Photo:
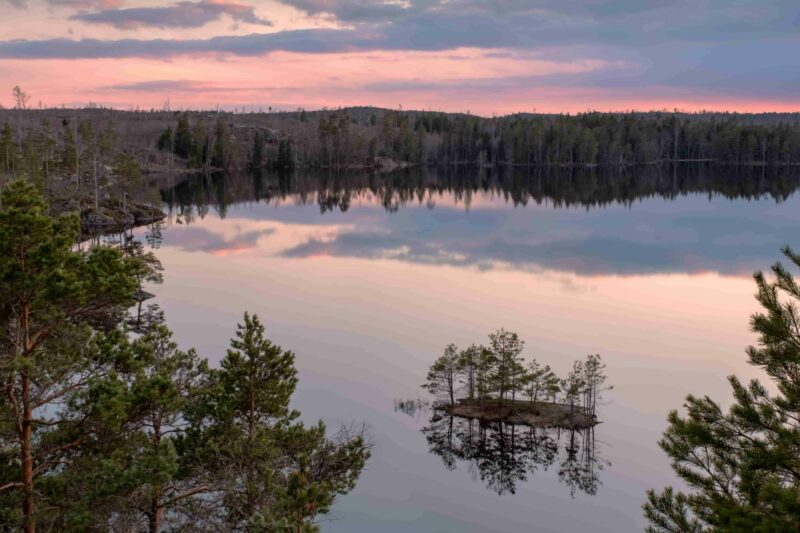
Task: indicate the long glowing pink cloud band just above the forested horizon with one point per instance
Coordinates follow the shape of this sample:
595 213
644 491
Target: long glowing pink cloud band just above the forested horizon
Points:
480 81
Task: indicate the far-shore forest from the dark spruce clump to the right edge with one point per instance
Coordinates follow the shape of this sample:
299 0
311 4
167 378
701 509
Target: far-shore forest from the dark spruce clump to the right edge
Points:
349 138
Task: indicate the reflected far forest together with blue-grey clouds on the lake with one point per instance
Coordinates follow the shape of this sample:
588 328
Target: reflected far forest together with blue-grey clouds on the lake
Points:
693 220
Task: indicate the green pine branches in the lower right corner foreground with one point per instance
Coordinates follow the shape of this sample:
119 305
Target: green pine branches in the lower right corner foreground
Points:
742 465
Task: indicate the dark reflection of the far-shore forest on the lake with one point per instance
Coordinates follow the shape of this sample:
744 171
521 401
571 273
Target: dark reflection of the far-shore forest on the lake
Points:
560 187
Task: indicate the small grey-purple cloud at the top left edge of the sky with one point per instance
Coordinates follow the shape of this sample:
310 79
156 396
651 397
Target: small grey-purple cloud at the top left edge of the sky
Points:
180 15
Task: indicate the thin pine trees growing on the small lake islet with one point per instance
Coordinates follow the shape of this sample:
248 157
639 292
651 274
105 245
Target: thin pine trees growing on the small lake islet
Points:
497 372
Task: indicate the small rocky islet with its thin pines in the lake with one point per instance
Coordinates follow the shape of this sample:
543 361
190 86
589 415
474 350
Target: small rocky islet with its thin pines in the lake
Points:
494 383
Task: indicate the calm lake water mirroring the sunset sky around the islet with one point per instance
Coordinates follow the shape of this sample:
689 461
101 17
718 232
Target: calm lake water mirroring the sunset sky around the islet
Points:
367 278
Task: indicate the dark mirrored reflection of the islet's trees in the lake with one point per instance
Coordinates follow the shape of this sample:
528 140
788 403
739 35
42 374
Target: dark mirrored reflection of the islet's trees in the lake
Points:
503 455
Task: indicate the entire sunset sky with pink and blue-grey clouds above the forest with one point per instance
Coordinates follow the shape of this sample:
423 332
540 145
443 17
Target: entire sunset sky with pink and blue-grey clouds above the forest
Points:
480 56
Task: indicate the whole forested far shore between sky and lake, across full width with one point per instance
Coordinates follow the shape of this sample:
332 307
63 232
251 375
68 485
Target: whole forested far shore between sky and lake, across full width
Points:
34 142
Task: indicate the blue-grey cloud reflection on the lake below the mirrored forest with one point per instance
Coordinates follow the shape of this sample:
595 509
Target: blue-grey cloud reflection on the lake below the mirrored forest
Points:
686 233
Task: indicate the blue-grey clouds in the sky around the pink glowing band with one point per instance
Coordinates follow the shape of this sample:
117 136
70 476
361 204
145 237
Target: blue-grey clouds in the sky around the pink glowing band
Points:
714 47
